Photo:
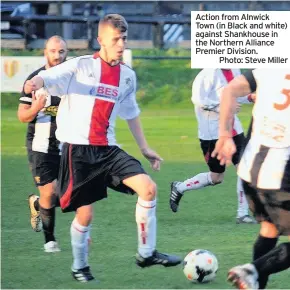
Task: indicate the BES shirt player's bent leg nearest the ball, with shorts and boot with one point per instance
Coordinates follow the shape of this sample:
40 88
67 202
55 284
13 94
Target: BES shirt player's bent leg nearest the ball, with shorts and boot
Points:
128 176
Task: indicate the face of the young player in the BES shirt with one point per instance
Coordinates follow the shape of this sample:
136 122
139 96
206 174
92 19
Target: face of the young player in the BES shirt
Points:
113 41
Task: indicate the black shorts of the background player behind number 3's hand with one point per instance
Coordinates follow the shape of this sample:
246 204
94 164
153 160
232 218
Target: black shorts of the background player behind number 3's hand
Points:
207 147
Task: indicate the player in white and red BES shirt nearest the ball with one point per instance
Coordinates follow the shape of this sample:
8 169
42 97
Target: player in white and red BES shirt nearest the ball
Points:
95 89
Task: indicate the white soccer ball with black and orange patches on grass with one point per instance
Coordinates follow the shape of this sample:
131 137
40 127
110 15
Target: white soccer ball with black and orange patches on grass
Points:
200 266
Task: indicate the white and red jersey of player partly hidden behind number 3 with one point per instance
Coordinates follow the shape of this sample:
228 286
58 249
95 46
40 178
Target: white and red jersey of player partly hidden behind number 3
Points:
206 92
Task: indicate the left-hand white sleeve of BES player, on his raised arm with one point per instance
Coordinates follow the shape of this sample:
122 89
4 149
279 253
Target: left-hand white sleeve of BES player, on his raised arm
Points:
57 79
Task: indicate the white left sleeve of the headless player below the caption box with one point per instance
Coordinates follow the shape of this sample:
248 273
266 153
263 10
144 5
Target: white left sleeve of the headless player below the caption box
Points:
201 91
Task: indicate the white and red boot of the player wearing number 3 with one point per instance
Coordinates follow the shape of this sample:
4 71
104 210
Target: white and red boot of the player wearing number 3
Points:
244 277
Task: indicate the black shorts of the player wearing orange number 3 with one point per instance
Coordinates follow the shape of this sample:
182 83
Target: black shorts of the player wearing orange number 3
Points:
270 205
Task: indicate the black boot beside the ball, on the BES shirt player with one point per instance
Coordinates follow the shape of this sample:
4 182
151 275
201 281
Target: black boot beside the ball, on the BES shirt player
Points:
157 259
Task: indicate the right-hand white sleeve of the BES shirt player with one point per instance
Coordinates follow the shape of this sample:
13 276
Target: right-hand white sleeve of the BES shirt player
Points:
129 108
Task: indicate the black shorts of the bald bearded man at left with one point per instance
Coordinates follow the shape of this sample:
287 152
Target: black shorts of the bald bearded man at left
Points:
44 167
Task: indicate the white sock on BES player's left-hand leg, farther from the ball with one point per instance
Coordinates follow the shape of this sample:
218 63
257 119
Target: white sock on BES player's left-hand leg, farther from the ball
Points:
80 236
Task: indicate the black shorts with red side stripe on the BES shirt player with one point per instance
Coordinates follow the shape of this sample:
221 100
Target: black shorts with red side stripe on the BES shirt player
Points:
86 171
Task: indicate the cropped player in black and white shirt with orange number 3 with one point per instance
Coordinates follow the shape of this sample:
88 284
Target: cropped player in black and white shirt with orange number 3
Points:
264 169
